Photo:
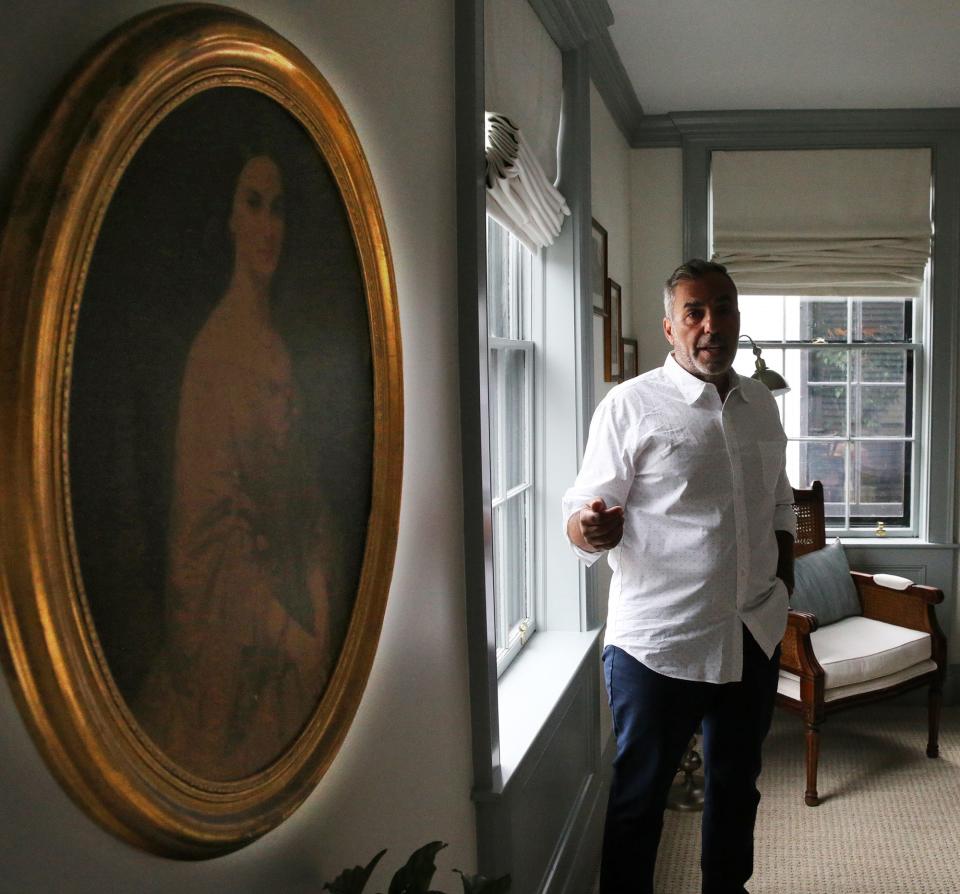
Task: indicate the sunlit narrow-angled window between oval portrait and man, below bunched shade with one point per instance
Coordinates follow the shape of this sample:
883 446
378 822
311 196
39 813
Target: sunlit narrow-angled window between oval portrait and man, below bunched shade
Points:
513 284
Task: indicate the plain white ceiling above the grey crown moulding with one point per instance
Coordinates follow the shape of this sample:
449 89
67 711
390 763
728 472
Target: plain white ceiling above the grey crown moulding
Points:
700 55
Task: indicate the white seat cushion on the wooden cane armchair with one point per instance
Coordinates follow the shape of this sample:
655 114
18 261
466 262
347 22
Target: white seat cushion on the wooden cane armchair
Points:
860 654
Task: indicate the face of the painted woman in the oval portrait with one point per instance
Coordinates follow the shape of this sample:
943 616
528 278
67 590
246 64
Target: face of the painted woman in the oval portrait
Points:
257 217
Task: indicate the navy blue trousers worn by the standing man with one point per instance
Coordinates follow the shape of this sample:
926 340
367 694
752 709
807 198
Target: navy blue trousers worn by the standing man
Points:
654 718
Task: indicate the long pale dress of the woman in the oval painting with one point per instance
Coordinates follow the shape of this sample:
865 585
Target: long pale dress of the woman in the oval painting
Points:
247 653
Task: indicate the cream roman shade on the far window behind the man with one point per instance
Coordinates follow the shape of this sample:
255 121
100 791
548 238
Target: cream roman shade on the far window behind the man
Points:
839 221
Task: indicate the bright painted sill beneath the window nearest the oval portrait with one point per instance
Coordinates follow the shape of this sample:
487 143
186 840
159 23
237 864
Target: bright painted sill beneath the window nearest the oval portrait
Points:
532 686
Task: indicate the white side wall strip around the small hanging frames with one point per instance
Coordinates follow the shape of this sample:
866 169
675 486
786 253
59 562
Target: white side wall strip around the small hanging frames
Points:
611 202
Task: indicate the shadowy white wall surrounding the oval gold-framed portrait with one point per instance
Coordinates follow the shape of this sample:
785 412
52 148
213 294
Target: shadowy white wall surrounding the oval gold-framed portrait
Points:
403 776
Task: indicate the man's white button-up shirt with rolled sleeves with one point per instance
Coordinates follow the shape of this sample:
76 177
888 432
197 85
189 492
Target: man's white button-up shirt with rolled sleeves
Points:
704 487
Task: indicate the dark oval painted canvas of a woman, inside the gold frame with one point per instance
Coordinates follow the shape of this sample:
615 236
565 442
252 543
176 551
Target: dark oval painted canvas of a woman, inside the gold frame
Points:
247 391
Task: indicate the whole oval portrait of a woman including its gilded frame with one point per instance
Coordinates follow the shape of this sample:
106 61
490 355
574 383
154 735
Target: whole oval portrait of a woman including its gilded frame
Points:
140 379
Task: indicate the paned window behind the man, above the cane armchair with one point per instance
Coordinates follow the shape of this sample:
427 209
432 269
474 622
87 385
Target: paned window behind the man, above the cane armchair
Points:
850 417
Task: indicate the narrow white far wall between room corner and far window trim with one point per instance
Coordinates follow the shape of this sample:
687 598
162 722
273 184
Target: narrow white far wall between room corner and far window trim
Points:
656 190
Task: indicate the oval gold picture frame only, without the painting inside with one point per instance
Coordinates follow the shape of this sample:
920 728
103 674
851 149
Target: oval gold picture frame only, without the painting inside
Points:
130 82
